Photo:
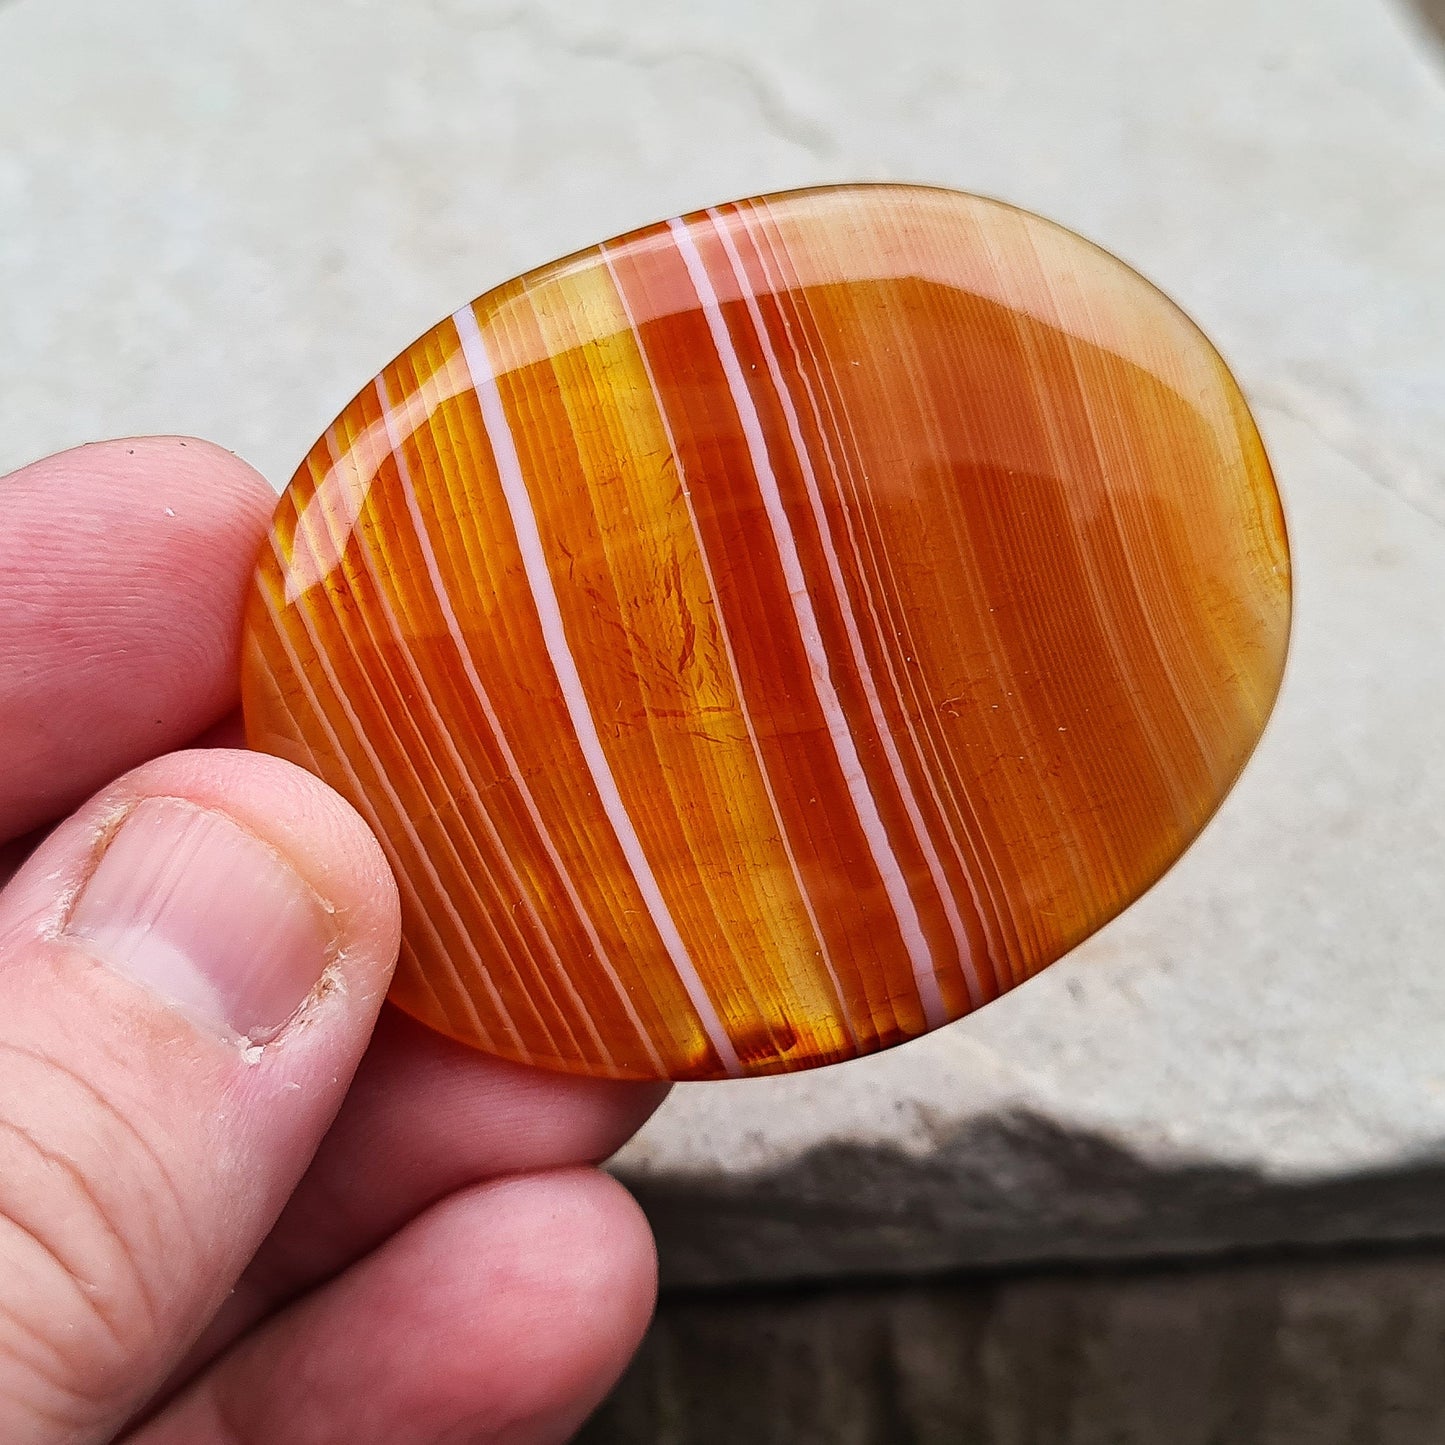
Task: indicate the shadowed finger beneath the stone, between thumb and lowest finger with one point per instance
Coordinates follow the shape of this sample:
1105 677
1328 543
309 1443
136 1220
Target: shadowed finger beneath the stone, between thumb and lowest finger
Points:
443 1118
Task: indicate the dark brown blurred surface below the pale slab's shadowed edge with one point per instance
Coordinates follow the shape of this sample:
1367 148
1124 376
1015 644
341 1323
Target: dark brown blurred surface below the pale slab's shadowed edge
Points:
1267 1352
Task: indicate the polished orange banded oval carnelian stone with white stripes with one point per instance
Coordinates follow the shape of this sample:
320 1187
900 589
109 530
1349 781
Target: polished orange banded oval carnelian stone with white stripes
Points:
772 635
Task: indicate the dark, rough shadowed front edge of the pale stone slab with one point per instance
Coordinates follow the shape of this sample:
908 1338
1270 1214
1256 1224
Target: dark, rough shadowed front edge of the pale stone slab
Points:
1008 1191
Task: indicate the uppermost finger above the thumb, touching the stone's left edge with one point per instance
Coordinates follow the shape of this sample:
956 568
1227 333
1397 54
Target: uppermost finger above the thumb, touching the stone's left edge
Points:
124 573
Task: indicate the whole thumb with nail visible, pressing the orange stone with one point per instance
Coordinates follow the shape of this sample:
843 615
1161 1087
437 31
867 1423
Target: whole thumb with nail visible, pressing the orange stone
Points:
190 970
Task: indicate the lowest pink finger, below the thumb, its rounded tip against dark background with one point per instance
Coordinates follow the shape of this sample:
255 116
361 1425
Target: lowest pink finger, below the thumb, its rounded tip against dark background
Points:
504 1314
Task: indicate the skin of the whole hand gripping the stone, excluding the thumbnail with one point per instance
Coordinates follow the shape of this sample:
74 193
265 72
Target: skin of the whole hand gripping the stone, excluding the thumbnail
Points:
361 1232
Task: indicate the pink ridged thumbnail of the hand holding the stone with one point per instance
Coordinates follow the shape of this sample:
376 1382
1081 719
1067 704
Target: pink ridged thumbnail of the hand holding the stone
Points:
207 917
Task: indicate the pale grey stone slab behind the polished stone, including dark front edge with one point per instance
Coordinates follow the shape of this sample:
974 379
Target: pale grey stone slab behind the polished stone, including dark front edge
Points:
223 219
